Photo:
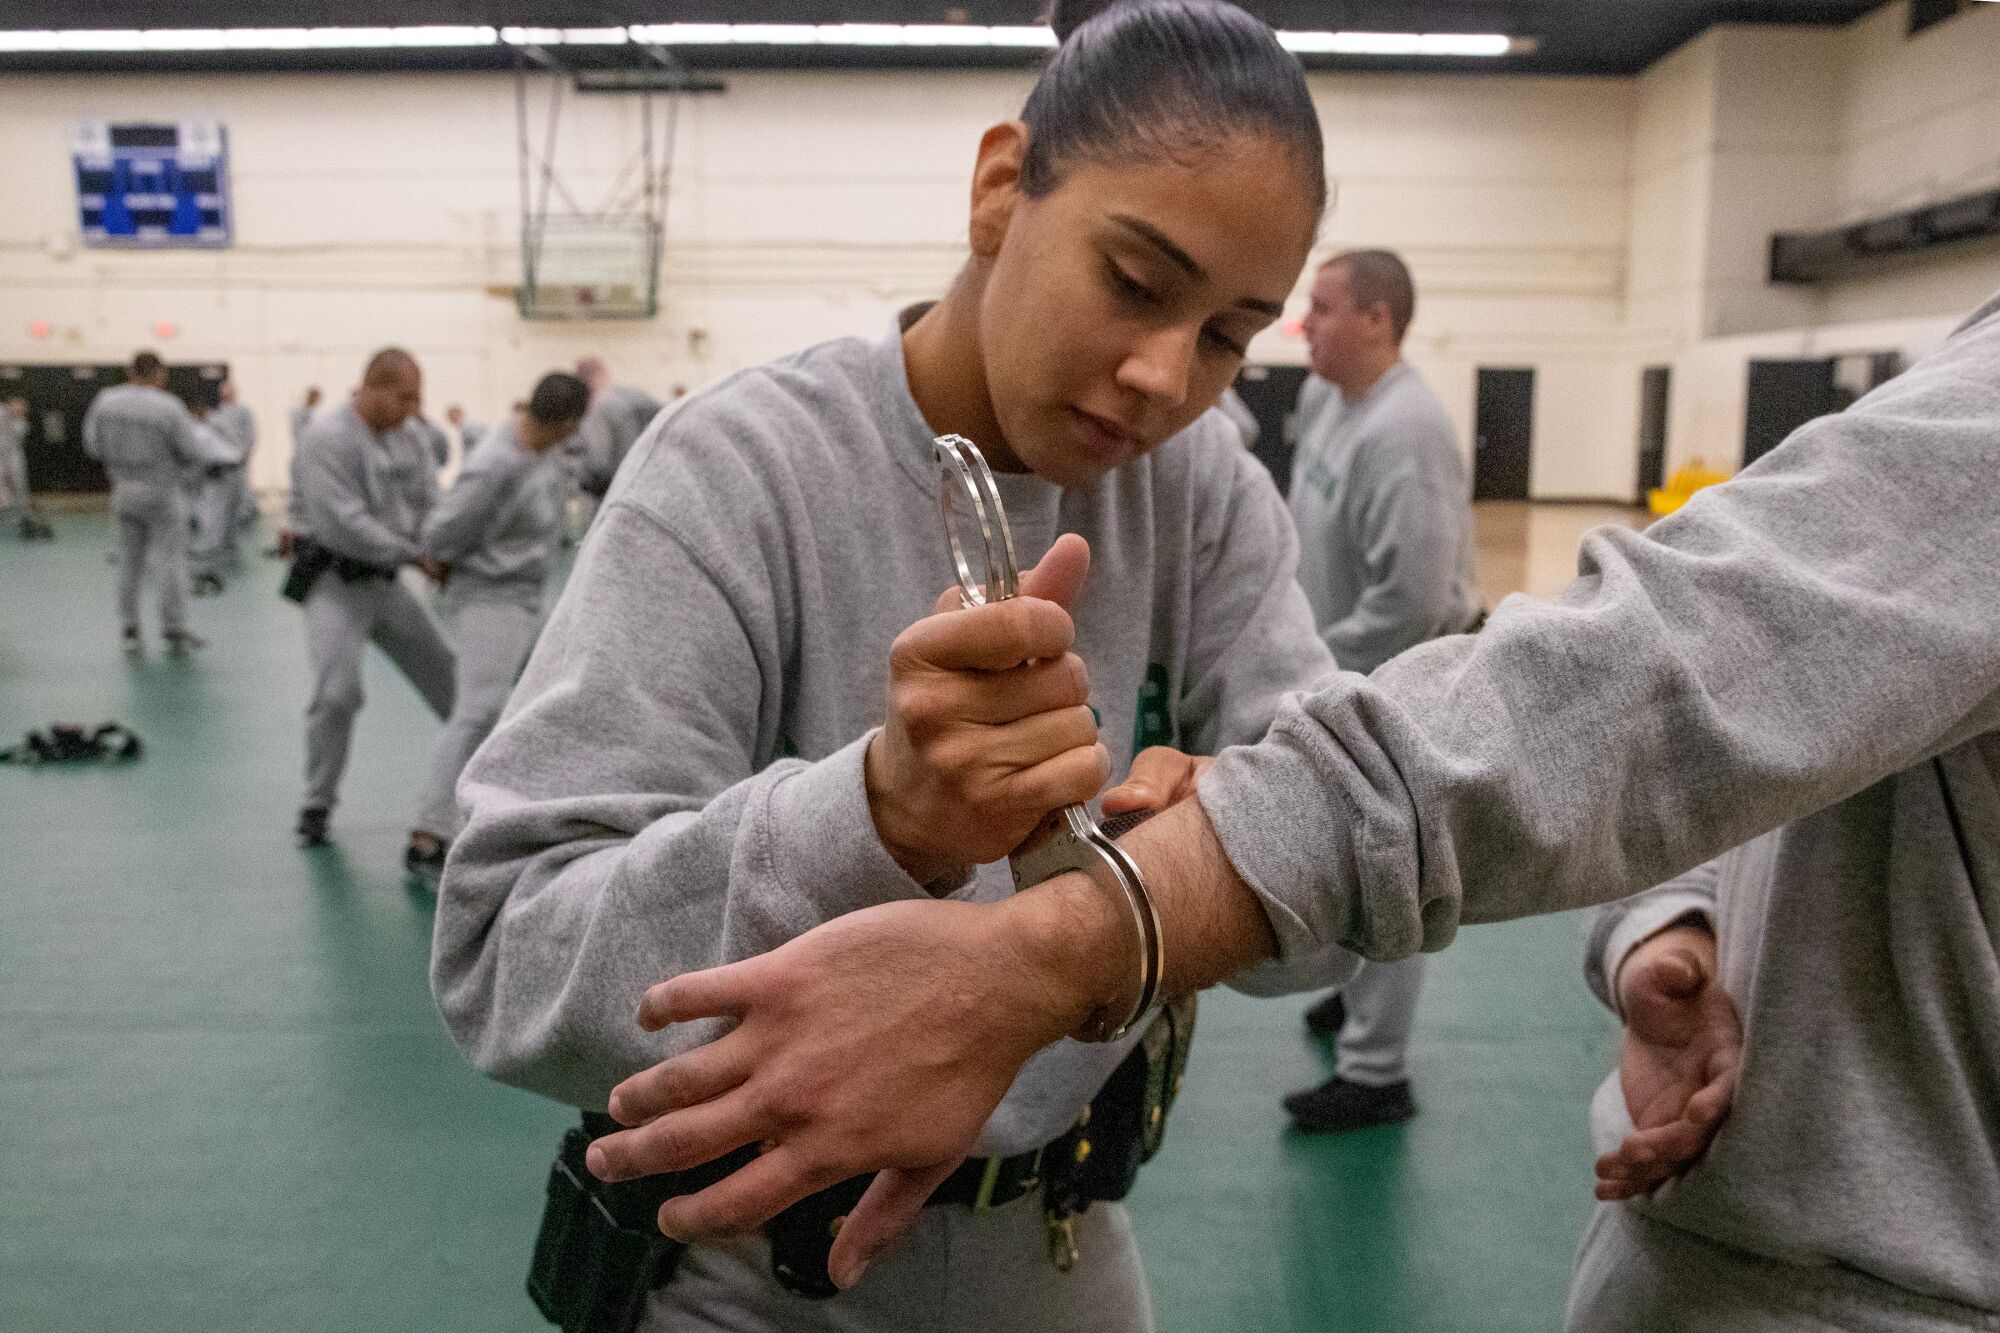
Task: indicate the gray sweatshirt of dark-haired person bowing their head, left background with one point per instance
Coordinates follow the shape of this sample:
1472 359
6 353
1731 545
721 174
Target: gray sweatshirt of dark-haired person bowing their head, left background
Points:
499 521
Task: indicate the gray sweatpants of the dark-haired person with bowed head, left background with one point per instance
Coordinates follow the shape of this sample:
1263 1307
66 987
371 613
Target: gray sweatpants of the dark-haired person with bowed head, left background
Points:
491 637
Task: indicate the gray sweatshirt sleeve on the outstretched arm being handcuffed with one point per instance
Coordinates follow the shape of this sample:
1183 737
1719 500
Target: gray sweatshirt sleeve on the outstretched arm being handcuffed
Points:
1823 621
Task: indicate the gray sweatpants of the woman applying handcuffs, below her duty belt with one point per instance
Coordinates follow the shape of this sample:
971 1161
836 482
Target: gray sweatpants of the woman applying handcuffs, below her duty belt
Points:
953 1274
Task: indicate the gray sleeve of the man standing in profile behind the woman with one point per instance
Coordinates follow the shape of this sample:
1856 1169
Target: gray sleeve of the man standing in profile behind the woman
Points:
1413 575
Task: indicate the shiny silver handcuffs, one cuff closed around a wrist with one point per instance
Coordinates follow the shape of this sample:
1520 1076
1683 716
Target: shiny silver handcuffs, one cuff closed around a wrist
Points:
1069 840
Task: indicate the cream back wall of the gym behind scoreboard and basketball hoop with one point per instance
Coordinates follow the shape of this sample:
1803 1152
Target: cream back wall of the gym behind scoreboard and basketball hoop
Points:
383 209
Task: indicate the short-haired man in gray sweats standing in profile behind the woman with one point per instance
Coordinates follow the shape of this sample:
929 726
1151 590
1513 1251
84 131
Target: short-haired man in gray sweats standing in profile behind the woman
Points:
1385 551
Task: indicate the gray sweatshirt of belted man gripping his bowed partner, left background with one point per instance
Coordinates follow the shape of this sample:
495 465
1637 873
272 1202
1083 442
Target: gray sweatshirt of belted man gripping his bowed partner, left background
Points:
365 495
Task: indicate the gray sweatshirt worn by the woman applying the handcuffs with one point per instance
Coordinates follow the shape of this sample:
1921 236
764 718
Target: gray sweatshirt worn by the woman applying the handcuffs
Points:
677 782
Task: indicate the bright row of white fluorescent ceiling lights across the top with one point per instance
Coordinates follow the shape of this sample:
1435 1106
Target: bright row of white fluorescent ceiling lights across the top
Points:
931 37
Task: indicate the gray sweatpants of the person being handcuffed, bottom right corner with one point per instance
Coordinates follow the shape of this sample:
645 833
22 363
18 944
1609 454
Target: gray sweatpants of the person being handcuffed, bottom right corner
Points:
1643 1276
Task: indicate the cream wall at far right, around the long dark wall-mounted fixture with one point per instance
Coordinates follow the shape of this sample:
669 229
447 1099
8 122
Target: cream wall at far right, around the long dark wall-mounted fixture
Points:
1821 129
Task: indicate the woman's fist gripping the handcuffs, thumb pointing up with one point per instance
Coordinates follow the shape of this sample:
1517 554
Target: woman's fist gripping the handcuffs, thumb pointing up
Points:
989 726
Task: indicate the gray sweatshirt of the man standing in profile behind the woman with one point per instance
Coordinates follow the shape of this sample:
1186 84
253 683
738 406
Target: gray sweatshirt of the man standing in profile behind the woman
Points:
1385 521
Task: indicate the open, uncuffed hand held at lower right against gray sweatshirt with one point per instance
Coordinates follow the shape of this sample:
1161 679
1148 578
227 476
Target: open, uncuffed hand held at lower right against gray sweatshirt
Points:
1681 1060
